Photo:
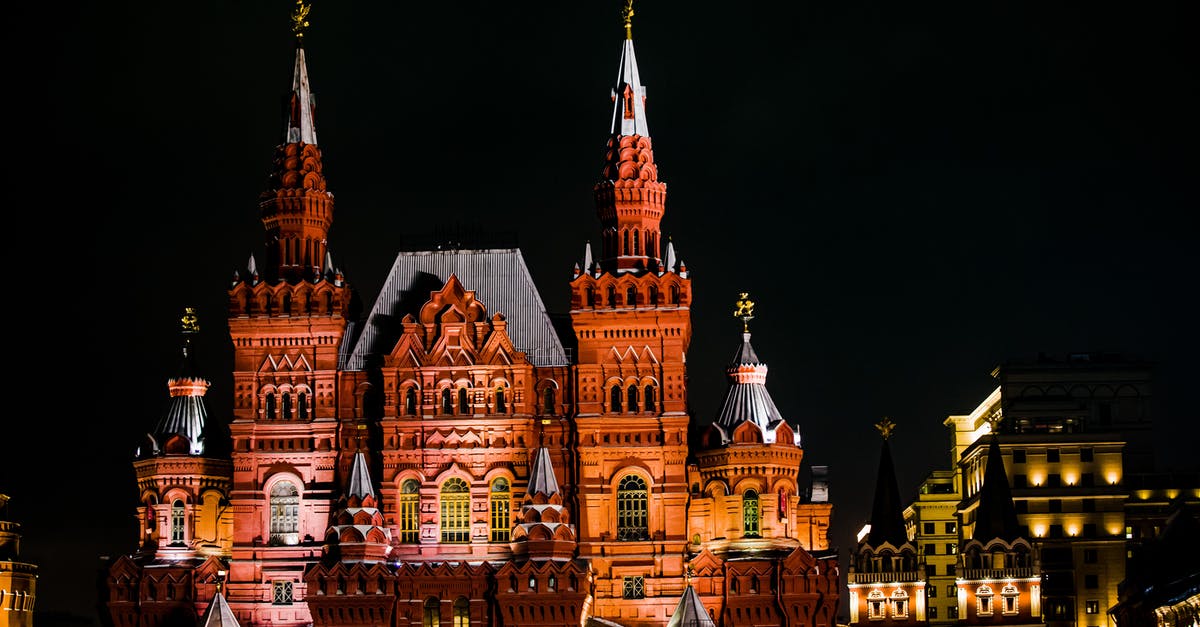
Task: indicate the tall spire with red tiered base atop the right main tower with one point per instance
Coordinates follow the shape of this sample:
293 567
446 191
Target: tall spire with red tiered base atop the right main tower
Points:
631 199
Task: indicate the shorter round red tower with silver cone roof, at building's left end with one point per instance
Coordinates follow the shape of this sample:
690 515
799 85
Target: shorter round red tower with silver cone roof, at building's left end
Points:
185 526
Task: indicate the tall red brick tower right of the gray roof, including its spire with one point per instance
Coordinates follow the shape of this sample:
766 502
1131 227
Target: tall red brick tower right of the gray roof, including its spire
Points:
632 323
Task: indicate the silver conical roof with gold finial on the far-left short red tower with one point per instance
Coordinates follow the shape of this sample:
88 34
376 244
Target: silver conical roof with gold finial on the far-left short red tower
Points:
182 429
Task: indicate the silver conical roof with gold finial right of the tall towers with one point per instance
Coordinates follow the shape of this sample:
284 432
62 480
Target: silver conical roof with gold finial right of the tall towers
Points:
748 401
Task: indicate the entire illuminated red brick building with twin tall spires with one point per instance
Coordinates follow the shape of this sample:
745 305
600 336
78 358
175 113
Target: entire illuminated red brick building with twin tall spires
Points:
440 458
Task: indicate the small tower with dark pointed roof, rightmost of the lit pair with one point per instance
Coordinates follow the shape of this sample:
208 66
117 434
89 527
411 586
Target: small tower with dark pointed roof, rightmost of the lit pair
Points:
999 580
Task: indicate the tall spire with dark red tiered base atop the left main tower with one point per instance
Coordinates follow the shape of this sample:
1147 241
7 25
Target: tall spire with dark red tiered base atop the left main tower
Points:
297 210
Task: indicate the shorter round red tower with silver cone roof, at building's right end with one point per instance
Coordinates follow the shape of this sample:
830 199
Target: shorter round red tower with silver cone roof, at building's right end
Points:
760 554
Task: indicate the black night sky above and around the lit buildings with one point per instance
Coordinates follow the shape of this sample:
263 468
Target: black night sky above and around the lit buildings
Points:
913 193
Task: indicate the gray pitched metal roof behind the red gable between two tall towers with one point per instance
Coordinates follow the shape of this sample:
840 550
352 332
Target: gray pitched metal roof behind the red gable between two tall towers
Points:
501 282
